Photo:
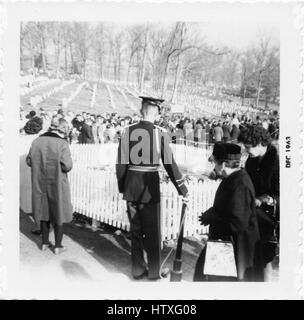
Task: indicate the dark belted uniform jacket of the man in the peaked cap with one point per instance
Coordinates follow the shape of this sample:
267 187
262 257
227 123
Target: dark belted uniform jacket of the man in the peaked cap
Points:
141 148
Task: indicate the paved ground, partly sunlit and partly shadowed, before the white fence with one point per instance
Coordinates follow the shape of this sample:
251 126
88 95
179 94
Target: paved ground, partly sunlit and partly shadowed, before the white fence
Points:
92 255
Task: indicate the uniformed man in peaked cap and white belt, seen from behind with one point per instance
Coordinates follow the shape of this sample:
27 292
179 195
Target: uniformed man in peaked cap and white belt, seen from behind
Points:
140 150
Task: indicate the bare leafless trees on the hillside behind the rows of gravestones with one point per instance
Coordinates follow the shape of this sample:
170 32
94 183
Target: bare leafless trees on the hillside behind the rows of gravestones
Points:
166 60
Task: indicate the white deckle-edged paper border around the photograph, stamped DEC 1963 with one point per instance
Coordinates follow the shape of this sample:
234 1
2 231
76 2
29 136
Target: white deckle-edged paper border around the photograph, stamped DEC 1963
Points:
288 16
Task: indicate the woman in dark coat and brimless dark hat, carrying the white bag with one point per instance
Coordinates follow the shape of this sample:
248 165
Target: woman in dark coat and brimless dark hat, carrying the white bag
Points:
233 216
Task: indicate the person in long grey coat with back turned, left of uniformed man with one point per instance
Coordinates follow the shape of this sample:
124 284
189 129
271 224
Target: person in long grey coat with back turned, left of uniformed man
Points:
50 161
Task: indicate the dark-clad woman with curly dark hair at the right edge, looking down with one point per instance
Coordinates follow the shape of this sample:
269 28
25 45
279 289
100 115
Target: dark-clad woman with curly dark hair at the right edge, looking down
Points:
263 168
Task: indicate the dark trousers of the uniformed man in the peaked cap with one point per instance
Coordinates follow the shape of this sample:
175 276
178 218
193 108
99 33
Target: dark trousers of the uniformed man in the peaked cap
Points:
145 235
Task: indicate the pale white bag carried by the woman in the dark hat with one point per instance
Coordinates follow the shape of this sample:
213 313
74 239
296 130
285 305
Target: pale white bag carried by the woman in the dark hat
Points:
220 259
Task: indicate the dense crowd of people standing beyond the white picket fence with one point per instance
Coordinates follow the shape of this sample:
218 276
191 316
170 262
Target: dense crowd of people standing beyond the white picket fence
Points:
88 128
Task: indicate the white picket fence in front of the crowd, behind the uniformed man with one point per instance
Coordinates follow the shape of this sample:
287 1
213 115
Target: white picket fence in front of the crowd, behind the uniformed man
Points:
95 194
